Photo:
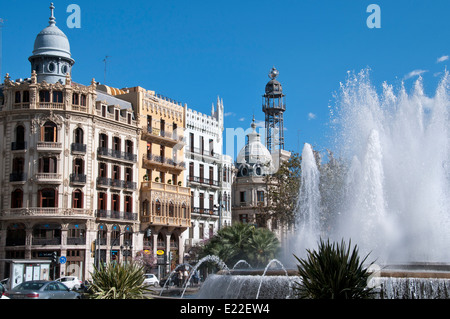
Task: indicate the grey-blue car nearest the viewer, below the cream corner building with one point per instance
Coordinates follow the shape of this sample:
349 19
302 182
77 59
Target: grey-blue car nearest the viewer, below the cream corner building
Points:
42 289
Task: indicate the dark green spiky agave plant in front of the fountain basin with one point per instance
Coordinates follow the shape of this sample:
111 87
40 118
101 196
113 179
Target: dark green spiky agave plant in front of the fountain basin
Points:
334 271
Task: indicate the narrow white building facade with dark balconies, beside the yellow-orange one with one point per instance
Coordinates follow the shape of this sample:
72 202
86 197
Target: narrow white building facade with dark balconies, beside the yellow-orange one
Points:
208 174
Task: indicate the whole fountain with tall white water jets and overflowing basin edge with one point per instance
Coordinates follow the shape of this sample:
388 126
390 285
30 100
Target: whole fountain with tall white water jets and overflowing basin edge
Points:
389 194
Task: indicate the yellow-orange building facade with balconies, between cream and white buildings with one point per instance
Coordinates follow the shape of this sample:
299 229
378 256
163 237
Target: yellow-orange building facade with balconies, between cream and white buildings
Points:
165 202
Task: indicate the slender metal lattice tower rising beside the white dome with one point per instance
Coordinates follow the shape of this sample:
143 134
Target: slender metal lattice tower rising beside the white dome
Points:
274 107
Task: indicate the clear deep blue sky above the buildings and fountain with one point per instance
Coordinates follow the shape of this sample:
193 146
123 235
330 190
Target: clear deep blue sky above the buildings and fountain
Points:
194 51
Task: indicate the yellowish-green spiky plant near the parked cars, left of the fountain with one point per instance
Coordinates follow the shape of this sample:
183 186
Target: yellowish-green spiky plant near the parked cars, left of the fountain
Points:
118 281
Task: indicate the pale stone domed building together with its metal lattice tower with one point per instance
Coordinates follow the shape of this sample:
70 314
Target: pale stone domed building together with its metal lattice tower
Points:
256 160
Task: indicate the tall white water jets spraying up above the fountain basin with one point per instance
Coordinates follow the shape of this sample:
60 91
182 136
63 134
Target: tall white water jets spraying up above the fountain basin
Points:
394 201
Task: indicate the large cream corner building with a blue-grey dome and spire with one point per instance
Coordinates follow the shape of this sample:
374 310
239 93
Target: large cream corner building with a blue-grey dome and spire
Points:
69 170
